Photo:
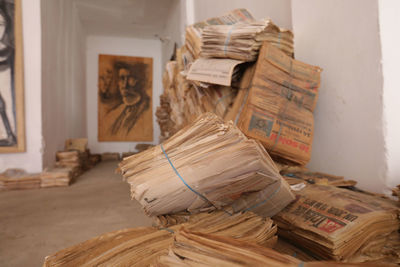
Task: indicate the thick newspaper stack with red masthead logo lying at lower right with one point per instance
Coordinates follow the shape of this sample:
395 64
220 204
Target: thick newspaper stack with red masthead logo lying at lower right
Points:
342 225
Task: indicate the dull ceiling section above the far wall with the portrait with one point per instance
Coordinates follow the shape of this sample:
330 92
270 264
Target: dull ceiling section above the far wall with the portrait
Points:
130 18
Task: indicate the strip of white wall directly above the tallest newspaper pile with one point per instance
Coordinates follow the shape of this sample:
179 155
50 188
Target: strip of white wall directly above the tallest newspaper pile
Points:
278 10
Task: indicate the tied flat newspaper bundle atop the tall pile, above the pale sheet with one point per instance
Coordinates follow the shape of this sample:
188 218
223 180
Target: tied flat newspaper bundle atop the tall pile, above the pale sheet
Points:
242 41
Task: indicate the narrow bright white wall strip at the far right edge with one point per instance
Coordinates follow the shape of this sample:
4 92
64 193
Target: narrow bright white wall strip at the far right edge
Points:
389 19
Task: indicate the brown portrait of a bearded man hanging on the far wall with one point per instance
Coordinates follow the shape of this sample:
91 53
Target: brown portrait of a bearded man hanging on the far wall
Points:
125 98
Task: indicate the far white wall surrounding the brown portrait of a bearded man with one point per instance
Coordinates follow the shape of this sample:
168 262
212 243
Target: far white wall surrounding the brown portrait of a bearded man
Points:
96 45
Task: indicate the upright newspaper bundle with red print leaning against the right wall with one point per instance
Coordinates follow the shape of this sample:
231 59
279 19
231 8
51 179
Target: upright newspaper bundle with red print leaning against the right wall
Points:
280 103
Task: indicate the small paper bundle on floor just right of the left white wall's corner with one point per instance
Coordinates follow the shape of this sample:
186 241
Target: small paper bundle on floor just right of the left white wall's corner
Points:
56 177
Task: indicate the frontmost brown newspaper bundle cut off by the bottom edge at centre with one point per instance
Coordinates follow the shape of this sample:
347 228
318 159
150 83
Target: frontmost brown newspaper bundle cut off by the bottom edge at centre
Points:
199 249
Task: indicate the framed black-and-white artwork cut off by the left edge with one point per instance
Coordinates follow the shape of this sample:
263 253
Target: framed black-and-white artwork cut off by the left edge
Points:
12 137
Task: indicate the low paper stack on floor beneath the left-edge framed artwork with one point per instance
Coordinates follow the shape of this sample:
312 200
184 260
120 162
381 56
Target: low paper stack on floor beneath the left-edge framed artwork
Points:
14 179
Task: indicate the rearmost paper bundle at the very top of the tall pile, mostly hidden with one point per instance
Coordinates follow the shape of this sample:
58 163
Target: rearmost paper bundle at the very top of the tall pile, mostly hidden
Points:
194 32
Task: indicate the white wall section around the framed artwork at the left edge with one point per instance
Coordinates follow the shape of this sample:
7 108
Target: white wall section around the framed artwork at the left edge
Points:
31 160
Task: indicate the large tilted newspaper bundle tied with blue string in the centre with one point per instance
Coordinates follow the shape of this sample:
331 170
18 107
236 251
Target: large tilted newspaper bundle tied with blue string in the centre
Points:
207 165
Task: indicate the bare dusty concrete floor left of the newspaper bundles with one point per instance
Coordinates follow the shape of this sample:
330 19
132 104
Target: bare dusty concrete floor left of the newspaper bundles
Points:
36 223
